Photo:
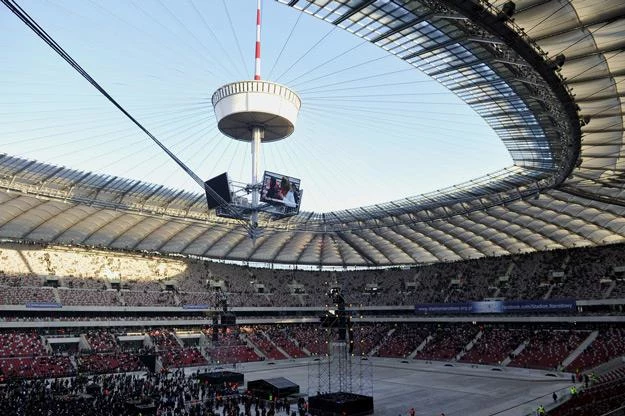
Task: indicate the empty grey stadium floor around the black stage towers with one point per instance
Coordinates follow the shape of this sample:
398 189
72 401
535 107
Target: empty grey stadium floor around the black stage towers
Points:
434 388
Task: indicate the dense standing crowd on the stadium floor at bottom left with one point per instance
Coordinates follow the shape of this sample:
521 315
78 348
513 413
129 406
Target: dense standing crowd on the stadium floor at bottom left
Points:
166 394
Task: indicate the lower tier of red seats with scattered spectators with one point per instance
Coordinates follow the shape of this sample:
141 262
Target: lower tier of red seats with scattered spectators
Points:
100 350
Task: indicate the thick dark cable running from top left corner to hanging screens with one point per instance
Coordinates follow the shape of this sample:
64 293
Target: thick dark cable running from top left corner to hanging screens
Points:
34 26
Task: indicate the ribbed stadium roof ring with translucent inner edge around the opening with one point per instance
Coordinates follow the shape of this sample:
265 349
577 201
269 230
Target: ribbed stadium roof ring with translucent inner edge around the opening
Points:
561 119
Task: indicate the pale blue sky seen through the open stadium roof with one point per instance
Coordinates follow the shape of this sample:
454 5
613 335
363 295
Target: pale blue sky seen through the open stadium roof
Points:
371 128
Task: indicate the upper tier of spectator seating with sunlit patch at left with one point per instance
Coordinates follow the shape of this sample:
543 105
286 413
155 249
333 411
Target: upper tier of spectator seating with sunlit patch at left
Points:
80 276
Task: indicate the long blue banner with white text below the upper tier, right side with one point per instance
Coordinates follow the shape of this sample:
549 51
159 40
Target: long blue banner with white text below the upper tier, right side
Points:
498 306
